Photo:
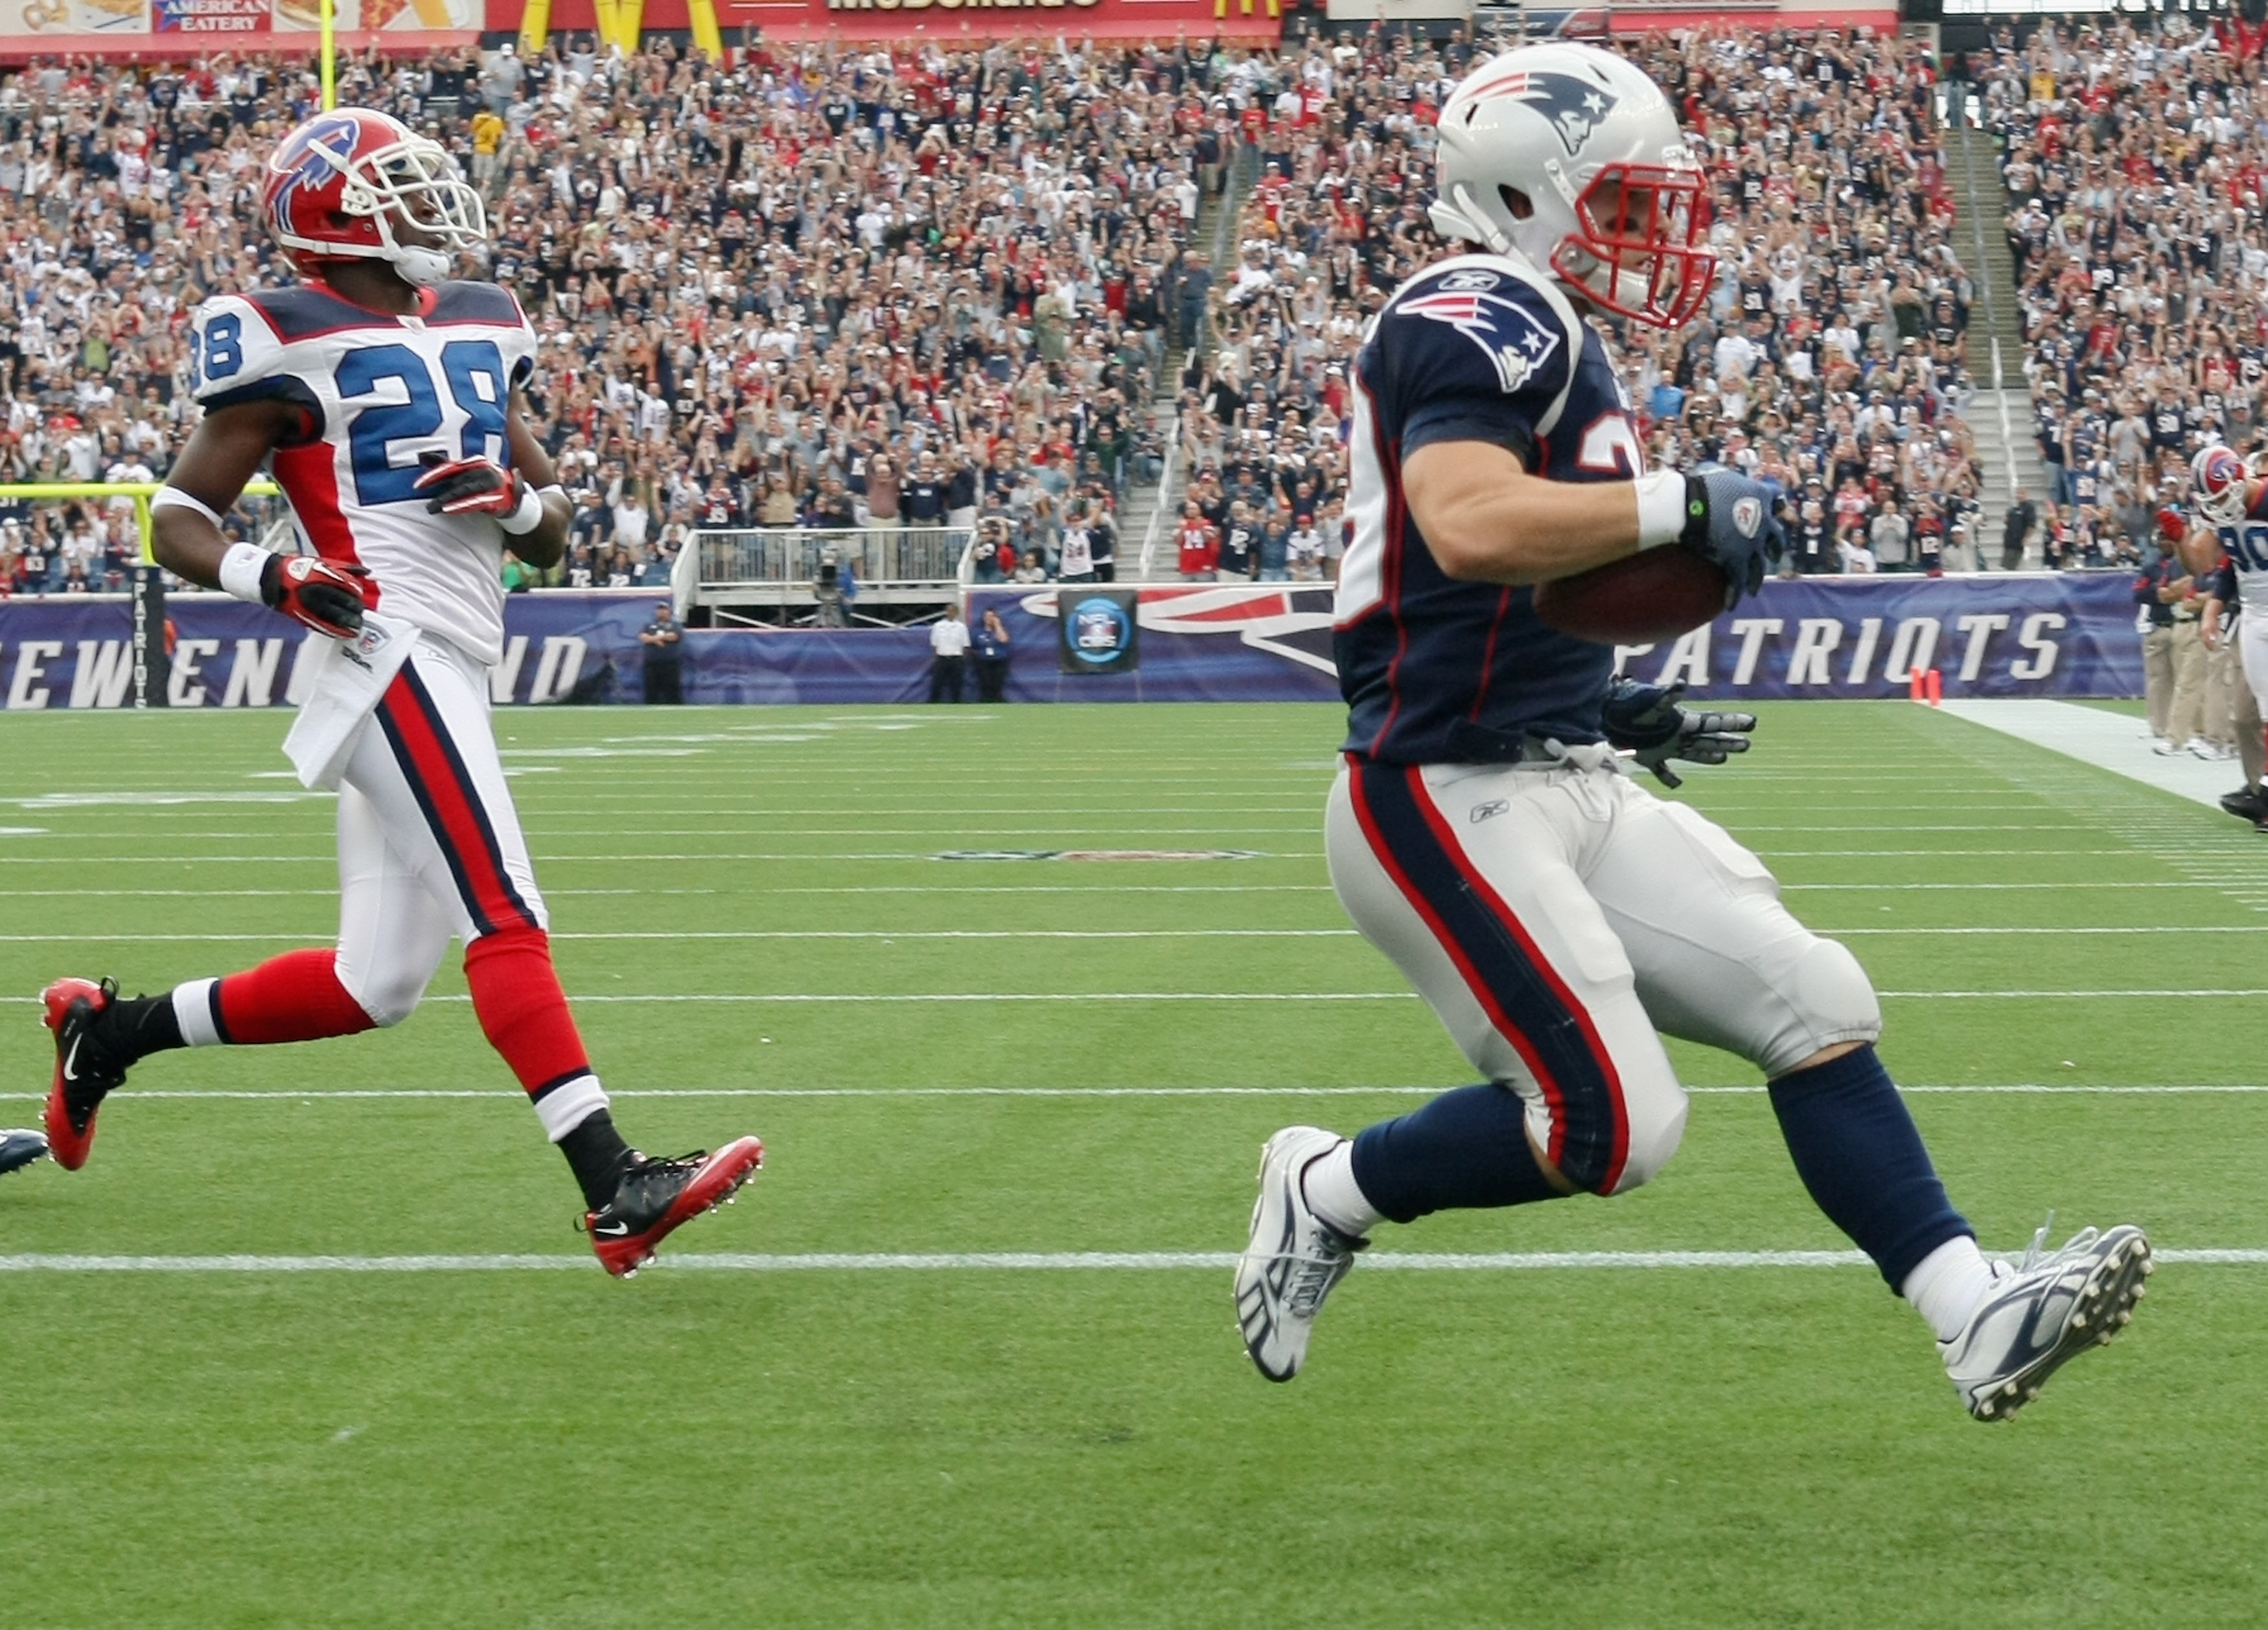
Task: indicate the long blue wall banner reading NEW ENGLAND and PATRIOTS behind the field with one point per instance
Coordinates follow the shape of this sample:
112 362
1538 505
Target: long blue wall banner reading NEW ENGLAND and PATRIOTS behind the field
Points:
1988 636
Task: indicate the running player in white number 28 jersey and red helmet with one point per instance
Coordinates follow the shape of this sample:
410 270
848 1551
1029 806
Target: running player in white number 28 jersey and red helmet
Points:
389 402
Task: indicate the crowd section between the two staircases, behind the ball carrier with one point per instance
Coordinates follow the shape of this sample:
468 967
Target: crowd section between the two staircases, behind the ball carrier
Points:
1831 355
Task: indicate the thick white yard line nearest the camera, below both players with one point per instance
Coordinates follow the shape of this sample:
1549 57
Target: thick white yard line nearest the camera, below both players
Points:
963 1262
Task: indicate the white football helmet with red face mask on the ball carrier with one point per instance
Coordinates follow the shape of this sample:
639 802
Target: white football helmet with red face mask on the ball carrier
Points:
1573 160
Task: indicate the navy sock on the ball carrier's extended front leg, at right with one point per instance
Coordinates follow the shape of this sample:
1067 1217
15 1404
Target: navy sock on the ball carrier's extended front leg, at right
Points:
1861 1155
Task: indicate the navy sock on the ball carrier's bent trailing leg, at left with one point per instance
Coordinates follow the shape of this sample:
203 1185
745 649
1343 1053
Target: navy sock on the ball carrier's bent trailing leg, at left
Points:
1464 1151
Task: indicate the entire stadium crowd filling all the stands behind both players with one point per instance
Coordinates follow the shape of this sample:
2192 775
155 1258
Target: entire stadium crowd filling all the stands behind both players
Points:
899 294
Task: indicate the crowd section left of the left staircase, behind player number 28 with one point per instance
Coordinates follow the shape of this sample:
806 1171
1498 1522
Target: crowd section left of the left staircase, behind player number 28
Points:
811 291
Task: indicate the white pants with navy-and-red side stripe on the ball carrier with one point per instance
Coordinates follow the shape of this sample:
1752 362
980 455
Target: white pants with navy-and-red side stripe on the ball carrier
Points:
1557 917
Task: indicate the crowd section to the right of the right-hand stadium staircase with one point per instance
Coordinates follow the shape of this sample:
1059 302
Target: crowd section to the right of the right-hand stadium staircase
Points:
2135 169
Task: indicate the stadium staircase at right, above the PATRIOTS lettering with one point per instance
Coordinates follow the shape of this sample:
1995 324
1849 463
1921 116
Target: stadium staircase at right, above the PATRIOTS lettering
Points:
2002 411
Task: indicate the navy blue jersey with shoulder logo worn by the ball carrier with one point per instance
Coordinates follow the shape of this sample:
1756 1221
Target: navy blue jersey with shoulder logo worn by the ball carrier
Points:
1441 672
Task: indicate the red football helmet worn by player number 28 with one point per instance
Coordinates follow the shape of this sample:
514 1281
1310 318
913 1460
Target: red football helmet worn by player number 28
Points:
346 182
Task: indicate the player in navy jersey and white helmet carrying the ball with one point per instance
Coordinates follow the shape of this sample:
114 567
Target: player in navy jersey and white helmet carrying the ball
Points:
1482 829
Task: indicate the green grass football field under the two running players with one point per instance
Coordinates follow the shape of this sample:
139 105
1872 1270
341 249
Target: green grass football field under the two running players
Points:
965 1352
